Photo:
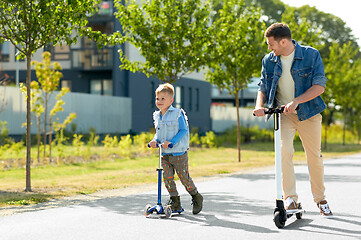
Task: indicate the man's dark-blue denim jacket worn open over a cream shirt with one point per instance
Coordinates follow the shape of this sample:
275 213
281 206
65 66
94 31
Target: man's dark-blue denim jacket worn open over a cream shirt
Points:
307 70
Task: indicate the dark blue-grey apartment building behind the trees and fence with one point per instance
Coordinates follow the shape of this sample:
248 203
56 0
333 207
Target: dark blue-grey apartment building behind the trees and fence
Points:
87 69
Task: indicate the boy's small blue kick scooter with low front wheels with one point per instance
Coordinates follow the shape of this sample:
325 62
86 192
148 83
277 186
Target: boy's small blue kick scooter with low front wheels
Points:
159 209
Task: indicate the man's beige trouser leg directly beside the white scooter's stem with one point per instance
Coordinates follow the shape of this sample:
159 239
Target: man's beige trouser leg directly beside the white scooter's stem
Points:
288 131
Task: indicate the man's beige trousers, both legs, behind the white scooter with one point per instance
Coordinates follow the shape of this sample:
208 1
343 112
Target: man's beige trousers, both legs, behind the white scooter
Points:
310 135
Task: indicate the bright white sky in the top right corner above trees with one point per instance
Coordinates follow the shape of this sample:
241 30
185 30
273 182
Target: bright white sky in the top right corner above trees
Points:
347 10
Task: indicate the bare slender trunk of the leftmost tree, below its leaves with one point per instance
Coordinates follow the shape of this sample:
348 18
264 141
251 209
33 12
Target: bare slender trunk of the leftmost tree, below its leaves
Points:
28 123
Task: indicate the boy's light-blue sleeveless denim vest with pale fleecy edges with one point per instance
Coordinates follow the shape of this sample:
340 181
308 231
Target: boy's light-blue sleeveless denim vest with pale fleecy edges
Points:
167 127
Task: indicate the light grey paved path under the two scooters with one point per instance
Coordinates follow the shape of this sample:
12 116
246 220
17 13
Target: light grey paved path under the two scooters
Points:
238 206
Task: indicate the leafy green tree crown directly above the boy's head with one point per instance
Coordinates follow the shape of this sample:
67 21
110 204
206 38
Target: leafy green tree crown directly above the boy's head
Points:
170 35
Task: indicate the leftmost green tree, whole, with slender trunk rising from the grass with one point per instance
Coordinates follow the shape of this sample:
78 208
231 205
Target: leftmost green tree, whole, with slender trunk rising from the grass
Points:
30 25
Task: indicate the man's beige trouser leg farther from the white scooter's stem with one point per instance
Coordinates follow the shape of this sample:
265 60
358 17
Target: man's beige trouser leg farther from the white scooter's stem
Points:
310 134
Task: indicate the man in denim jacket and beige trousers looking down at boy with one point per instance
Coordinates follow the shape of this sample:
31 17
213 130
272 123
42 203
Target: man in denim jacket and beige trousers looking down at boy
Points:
293 76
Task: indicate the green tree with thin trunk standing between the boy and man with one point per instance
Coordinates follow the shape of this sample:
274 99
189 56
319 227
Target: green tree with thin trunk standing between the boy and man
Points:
238 47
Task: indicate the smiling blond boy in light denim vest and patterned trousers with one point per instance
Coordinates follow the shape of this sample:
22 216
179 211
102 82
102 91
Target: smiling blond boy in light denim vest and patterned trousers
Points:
172 128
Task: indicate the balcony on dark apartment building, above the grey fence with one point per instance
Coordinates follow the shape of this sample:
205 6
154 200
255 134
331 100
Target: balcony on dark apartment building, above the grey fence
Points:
92 59
